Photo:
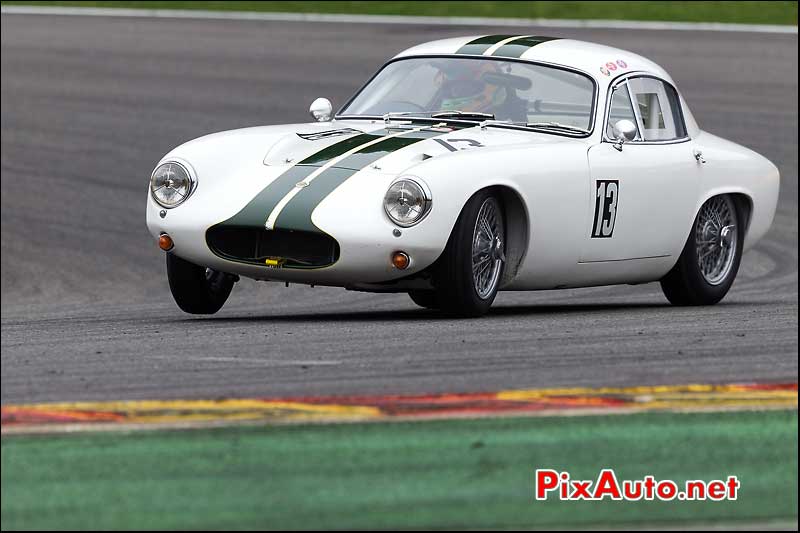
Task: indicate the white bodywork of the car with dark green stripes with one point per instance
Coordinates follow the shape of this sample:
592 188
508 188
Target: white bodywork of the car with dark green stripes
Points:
257 175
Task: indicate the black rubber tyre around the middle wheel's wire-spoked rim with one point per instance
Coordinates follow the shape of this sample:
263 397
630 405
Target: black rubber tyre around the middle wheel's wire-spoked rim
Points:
455 289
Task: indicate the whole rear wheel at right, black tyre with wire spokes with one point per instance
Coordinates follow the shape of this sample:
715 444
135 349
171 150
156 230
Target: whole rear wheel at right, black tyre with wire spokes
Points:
710 259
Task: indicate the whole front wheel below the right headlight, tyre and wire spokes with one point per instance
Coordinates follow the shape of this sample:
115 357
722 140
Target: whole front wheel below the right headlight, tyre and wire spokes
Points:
469 271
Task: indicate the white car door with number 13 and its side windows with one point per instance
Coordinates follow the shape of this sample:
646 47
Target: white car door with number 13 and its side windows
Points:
641 192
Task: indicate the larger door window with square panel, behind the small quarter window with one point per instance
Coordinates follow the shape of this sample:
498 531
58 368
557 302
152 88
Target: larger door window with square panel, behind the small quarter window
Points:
658 110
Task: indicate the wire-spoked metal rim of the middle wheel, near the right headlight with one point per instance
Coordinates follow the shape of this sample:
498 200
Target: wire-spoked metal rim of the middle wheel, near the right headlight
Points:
488 248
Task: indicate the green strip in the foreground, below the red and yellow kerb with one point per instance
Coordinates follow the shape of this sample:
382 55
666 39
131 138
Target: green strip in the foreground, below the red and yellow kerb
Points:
431 474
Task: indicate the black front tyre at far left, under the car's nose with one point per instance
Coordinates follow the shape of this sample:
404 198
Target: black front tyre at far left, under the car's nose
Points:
197 290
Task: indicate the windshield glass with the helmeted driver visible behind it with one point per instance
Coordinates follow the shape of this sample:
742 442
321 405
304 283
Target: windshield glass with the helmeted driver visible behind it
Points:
518 92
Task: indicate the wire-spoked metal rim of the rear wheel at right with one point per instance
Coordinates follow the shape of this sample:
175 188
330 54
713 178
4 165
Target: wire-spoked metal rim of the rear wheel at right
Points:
716 239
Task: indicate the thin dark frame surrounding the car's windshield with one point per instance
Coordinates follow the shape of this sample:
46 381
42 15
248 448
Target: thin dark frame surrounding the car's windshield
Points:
563 133
